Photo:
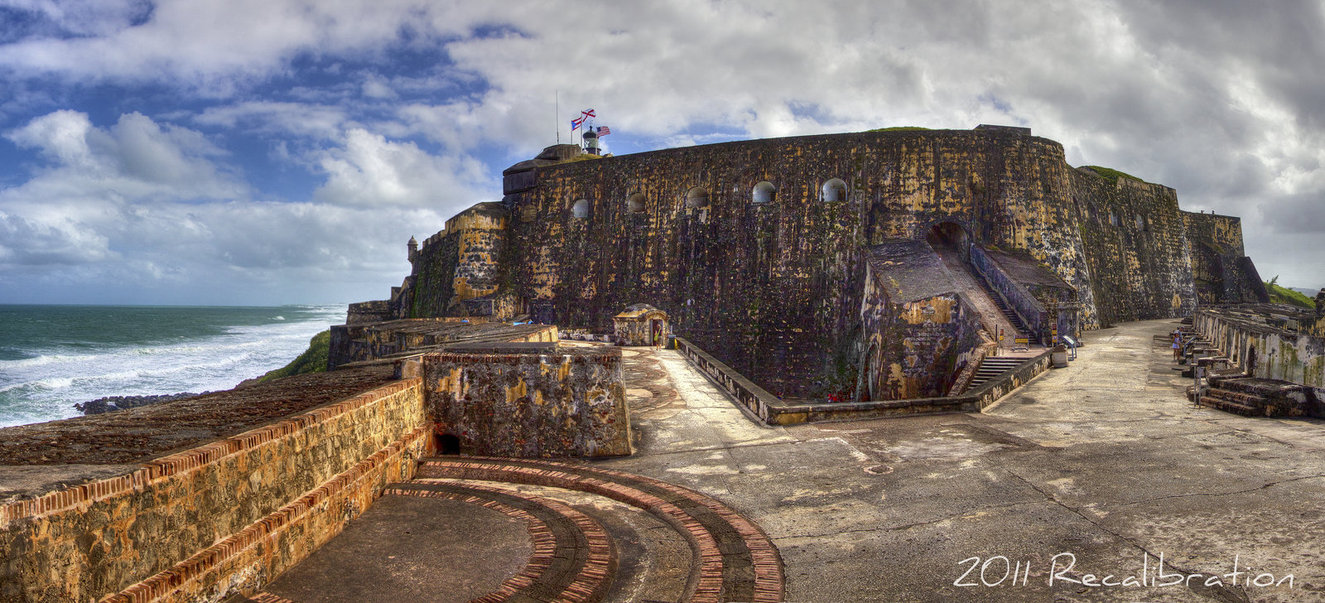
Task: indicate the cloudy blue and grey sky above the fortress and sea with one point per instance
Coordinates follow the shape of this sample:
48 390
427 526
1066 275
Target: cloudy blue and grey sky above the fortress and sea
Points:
283 152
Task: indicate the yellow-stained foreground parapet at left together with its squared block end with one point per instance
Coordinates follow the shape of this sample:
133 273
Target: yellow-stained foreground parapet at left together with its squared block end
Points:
229 516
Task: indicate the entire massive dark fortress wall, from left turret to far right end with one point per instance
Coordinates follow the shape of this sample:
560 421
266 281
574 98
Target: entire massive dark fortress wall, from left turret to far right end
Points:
757 250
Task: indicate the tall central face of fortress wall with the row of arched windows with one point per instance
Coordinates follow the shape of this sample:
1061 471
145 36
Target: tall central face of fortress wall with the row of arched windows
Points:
773 288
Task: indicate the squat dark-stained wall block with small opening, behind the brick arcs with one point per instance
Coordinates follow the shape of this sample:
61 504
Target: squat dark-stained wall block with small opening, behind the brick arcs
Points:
531 405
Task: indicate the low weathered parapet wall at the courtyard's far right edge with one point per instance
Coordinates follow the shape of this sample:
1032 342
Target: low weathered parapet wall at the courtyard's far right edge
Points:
1273 352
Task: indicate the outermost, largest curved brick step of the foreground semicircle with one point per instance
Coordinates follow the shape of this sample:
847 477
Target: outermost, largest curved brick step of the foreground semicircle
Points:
736 561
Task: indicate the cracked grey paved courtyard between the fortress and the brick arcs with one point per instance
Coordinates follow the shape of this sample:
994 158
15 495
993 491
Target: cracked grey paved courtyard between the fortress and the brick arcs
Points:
1102 467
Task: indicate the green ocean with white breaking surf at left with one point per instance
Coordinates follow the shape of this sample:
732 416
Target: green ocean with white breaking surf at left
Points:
52 357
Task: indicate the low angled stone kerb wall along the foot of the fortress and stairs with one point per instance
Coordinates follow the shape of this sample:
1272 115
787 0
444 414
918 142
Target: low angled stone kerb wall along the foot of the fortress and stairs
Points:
768 409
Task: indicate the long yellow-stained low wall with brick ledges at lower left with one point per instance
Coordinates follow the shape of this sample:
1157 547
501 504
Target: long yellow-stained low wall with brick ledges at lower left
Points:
219 519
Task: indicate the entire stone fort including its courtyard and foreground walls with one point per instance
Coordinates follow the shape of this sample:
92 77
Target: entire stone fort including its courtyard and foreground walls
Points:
633 377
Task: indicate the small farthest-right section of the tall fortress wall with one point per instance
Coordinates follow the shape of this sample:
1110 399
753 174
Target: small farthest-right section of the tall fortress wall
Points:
1221 270
